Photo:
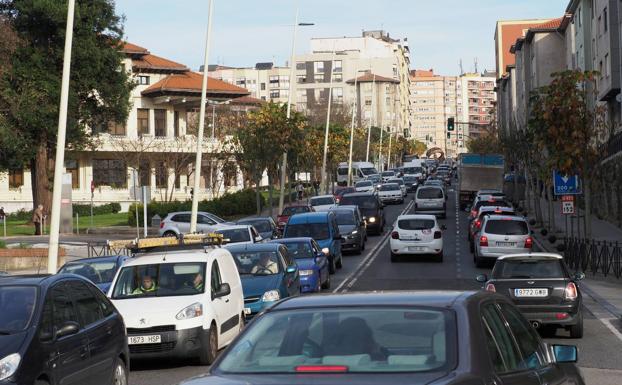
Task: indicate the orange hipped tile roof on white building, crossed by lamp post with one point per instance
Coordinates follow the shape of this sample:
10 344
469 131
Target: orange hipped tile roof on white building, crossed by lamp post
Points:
191 82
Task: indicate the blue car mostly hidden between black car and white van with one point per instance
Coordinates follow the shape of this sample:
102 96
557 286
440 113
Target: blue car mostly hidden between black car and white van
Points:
99 270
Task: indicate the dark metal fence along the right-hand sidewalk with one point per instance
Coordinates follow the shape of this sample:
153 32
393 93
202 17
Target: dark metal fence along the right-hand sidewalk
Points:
604 257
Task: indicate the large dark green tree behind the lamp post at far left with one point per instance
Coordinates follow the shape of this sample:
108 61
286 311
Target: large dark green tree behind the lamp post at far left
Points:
30 88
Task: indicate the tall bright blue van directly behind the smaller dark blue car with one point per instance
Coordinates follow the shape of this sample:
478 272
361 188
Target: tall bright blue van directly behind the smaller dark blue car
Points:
323 228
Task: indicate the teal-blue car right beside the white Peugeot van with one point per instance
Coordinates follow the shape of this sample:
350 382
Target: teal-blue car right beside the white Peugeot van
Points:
268 273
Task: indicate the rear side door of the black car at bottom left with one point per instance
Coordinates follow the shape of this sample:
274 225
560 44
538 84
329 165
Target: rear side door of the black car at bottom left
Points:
102 345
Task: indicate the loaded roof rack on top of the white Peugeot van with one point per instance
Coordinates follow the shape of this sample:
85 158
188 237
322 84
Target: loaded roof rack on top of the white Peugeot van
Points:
184 242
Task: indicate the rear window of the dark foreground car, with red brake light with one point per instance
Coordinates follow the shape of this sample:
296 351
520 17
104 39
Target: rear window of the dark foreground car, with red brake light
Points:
357 340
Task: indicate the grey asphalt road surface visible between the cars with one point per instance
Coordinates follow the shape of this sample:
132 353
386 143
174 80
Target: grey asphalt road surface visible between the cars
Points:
600 349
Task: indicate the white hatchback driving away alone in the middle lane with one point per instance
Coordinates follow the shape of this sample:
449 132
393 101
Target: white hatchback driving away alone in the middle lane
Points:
416 234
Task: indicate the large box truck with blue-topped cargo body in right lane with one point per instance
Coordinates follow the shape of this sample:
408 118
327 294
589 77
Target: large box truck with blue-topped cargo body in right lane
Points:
478 172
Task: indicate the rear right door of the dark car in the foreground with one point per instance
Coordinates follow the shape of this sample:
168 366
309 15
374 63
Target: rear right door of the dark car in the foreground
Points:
507 361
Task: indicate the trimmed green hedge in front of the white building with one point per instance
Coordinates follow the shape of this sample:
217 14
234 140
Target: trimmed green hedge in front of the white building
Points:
229 205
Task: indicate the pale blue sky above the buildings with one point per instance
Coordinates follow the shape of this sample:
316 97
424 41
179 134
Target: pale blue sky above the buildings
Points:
440 32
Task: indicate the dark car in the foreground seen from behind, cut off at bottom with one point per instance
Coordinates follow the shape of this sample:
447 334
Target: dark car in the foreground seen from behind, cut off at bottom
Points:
396 338
